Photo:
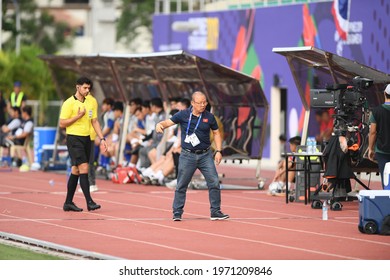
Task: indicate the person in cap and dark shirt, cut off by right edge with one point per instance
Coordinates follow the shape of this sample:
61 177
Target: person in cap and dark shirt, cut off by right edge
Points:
379 135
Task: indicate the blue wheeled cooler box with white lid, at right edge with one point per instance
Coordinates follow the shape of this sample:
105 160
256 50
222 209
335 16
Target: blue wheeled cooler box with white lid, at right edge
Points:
374 207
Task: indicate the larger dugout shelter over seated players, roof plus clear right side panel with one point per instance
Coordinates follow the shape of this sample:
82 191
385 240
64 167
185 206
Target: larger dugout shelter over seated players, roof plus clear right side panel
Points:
234 96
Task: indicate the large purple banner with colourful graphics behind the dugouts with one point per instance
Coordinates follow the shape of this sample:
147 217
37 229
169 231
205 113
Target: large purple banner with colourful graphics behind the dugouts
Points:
244 39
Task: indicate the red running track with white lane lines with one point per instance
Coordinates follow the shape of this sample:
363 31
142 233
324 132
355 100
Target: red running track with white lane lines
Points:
135 222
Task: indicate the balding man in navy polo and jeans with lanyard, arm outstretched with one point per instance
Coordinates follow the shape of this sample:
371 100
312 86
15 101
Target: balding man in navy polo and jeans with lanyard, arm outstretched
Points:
195 124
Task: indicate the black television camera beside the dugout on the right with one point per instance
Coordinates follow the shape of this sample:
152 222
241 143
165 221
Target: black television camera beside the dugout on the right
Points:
351 112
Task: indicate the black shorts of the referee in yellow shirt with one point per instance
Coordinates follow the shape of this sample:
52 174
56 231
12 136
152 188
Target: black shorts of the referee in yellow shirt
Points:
79 148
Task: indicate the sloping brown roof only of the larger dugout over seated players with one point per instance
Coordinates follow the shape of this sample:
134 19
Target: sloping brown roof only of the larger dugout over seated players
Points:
164 74
